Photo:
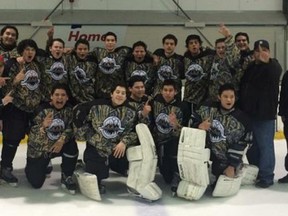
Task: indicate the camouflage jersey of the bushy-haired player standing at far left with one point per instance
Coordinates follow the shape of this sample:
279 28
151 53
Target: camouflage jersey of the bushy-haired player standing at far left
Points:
27 93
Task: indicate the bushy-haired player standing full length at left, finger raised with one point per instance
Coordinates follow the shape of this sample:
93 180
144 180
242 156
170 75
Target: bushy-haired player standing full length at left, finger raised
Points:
24 85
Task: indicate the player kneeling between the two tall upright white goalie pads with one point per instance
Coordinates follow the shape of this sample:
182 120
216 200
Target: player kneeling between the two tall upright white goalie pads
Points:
168 119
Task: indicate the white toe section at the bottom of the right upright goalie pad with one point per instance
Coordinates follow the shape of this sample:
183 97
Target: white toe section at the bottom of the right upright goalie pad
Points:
190 191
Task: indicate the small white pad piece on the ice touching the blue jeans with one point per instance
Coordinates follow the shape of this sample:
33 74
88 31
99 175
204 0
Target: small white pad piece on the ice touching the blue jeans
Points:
249 174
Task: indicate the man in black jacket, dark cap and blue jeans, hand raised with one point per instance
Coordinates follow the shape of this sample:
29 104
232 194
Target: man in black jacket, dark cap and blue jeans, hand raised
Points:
259 99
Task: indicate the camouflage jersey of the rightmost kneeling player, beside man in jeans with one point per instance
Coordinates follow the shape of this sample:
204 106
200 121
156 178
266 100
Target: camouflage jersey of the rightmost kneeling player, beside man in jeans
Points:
229 135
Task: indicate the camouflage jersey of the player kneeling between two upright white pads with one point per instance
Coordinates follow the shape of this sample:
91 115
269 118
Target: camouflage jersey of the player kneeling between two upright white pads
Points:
162 130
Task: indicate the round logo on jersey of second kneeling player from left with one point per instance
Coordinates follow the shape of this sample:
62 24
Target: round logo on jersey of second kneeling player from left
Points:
111 127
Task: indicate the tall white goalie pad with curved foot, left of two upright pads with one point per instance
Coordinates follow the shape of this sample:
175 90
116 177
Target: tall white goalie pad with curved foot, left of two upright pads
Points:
142 166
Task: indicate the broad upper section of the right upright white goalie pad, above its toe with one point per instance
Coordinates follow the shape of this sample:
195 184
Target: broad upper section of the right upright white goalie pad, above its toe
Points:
193 157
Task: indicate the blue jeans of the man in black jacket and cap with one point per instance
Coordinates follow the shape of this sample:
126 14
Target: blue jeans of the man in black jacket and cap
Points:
262 152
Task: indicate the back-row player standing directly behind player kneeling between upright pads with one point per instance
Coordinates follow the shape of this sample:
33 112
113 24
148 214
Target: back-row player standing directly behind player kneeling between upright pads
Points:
169 64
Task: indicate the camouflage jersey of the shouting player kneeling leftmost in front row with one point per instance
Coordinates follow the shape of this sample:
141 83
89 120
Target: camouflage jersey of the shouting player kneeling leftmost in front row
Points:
41 140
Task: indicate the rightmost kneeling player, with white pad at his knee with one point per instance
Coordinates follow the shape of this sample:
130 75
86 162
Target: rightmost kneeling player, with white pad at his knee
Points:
228 135
